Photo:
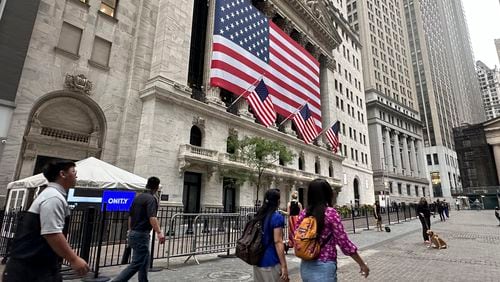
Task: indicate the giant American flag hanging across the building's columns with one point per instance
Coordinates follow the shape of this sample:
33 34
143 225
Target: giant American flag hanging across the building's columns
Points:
246 46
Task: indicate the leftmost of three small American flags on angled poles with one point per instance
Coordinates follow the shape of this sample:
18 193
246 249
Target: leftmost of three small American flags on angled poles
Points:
262 106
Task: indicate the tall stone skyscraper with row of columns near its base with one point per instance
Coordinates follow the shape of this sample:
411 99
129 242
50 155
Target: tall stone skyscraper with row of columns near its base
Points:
394 122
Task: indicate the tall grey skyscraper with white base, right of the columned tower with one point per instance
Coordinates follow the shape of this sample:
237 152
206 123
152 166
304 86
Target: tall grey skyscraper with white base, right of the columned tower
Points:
432 54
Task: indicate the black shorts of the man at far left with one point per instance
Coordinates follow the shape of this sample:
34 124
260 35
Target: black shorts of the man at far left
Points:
20 271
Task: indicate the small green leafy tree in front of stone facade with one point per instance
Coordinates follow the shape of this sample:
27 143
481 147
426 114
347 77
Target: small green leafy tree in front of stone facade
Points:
258 154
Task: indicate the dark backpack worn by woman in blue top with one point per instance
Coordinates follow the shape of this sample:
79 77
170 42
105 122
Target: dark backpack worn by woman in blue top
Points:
250 247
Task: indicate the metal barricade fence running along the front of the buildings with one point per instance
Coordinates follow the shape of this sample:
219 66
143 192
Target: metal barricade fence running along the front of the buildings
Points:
101 237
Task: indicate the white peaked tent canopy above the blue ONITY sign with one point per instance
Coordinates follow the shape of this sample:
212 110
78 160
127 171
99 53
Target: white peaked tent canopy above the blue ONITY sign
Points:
92 173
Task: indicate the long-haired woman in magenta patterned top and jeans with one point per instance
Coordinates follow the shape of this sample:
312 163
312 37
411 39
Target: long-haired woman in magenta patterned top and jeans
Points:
320 200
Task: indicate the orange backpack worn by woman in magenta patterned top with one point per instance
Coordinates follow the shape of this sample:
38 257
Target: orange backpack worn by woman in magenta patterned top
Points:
306 240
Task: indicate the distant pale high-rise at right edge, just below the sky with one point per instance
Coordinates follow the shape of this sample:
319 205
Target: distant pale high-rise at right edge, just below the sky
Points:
489 80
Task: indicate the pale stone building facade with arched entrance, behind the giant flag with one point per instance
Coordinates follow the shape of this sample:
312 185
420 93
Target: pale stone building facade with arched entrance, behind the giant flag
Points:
127 82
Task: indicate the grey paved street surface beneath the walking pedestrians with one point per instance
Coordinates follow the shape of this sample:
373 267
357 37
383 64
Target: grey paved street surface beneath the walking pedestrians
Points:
473 255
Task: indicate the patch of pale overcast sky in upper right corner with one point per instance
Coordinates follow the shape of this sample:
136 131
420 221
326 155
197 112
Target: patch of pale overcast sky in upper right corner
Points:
483 19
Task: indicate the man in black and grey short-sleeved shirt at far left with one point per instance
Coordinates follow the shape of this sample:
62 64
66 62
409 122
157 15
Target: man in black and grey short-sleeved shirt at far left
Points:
39 244
